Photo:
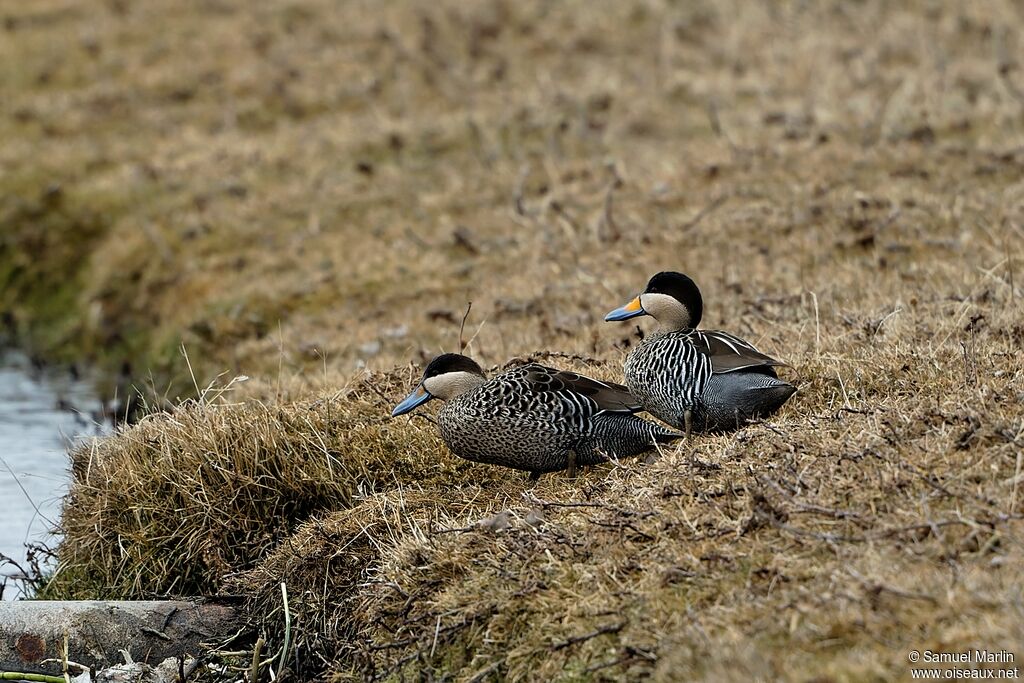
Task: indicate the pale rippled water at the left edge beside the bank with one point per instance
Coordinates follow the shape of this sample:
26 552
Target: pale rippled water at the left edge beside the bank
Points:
41 414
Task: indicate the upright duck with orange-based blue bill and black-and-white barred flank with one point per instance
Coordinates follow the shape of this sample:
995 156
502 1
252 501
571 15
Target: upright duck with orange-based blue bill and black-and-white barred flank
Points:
697 380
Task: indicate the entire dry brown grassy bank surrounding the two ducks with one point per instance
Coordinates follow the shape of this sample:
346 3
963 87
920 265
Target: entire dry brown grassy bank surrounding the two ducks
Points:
309 195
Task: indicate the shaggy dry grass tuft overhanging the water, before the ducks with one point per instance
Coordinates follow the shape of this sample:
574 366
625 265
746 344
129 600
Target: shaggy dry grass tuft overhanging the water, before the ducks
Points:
173 504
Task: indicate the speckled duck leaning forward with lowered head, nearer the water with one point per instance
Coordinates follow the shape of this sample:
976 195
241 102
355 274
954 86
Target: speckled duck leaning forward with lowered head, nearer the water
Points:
532 417
